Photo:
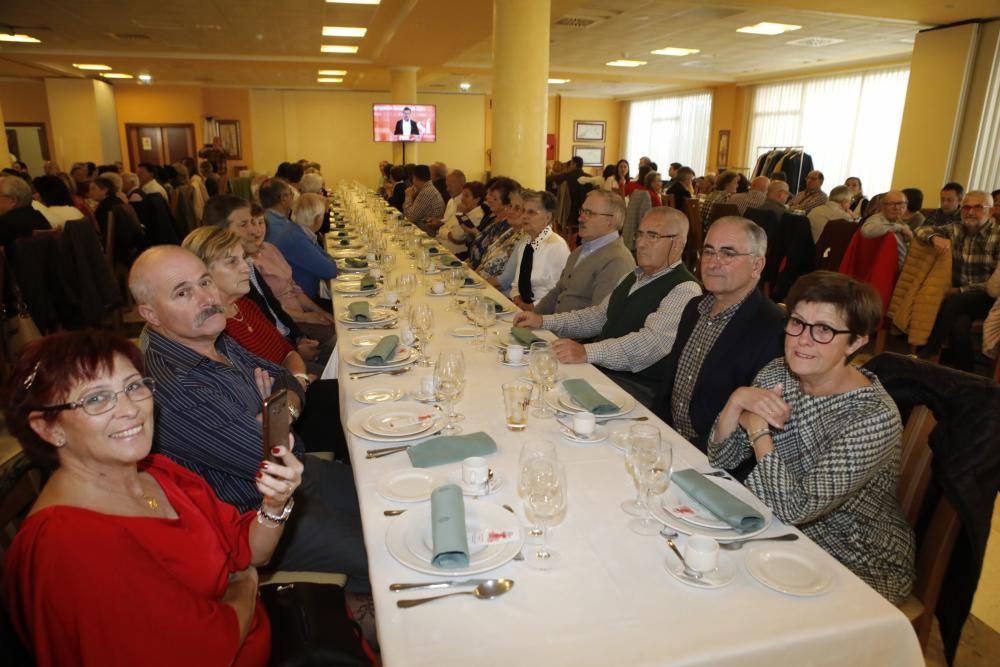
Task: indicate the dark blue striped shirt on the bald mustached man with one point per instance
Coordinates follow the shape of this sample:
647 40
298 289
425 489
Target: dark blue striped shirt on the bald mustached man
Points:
206 412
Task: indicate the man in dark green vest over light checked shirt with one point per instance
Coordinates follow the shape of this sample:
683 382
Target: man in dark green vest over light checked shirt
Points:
633 330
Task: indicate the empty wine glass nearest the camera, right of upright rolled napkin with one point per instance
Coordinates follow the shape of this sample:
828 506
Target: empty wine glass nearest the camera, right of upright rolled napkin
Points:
545 501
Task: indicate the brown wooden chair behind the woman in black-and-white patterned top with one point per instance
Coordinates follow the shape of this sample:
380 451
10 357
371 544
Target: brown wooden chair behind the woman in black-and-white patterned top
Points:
935 547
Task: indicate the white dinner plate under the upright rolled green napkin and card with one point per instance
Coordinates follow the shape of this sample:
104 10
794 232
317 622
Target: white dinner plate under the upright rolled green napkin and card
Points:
409 540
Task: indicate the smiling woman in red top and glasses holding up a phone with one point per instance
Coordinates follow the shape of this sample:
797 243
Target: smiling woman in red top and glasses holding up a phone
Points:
127 558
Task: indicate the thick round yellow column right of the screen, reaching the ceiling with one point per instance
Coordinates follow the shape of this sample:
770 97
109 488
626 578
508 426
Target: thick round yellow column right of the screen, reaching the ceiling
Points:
520 89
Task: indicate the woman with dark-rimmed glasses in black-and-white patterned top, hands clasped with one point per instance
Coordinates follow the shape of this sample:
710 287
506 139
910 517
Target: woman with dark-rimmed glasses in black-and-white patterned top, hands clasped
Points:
826 435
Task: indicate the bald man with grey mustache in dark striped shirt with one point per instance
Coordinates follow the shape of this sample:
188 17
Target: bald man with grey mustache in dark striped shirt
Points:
208 401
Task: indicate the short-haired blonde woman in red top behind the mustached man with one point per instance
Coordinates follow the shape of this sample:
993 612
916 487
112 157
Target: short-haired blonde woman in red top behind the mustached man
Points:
222 251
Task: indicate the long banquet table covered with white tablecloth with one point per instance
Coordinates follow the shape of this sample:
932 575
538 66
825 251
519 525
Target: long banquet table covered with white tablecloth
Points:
609 601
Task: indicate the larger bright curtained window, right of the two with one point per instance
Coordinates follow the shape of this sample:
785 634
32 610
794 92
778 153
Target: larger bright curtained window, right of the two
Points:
848 123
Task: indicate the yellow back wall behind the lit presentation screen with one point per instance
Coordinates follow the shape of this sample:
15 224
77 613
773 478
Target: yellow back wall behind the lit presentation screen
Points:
335 129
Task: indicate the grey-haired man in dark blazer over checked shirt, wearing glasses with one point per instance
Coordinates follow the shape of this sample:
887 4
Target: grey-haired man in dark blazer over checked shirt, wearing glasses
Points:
725 336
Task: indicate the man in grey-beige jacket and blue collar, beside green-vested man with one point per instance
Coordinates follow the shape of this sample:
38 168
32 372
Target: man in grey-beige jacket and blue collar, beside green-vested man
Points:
598 264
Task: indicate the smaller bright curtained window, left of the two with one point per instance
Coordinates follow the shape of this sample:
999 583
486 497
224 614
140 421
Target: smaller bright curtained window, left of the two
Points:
670 129
